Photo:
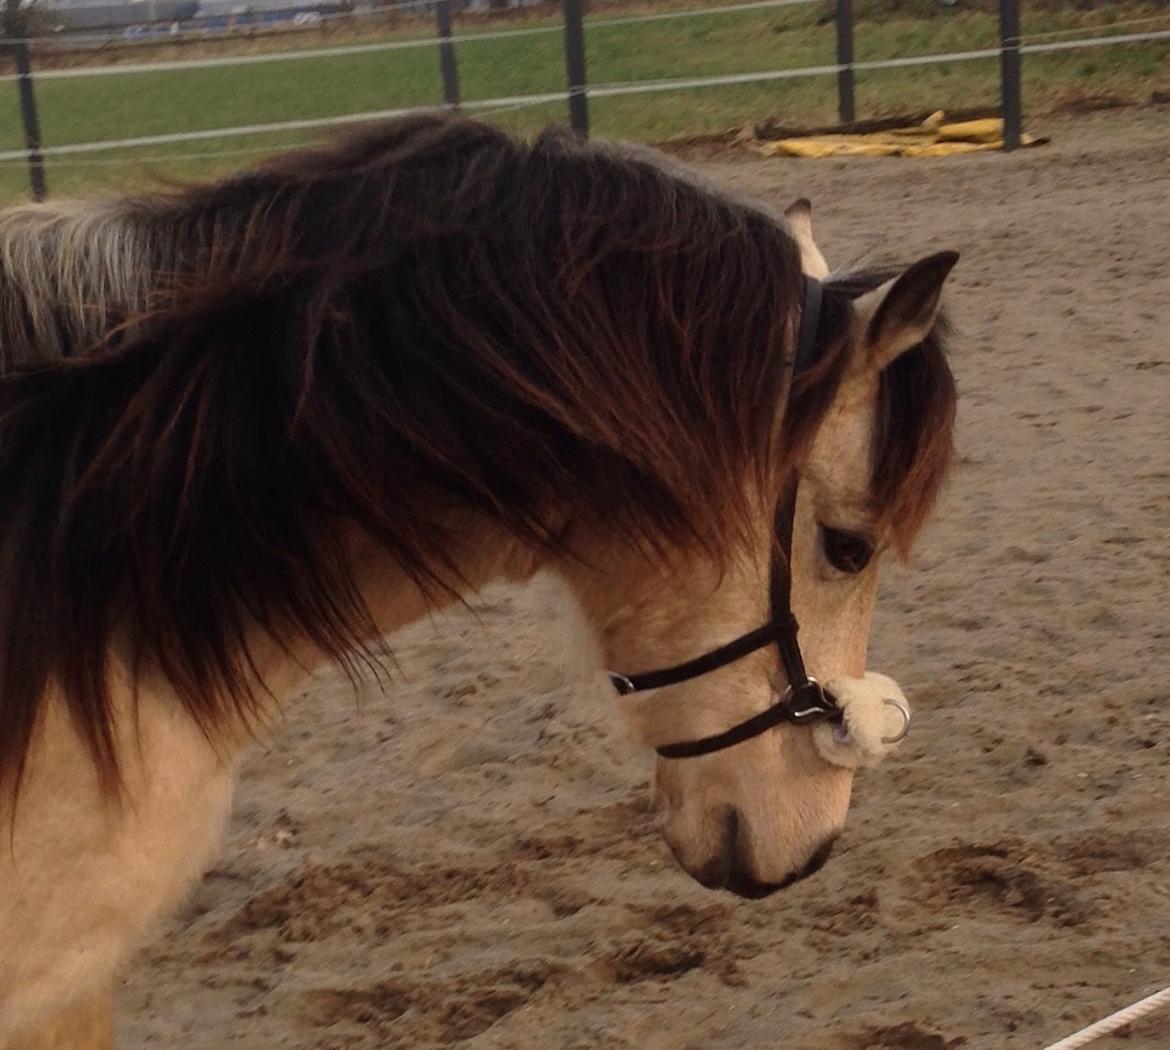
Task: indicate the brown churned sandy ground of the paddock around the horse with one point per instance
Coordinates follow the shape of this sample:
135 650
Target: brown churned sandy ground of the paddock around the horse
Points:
473 860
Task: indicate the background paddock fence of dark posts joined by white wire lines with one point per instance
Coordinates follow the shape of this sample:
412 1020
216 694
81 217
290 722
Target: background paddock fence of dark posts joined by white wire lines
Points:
1009 52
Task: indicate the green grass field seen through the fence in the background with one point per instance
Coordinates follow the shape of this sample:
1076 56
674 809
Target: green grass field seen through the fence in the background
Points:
91 109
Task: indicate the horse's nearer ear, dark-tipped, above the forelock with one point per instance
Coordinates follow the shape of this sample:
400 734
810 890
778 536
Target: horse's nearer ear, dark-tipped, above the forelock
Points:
900 314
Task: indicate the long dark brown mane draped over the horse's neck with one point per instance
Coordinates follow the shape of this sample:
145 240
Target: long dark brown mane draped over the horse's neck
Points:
423 318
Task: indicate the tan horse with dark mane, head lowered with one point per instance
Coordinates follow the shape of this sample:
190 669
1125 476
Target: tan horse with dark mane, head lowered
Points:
257 426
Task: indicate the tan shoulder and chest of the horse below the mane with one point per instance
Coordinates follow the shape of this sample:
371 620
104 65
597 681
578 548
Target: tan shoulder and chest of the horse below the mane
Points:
82 877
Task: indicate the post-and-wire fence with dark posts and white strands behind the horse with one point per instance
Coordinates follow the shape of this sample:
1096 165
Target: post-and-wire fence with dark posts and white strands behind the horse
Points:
576 92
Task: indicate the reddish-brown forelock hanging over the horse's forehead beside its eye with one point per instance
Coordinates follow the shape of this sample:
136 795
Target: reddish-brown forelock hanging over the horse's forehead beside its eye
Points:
914 421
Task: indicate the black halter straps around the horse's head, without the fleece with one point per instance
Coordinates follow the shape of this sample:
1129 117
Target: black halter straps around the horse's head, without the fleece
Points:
803 701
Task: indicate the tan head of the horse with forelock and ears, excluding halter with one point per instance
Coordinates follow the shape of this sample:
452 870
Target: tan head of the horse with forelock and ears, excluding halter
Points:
765 813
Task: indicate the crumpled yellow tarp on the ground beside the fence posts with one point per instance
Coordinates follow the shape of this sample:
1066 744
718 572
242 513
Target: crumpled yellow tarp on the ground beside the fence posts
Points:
931 139
